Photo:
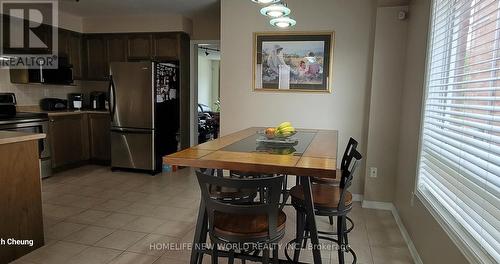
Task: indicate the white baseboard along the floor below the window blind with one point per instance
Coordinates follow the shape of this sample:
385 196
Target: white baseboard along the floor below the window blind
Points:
404 233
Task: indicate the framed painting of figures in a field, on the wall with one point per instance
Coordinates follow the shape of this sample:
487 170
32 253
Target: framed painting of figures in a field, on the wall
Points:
293 61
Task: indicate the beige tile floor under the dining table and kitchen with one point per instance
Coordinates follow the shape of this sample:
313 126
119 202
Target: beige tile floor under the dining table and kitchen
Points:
93 215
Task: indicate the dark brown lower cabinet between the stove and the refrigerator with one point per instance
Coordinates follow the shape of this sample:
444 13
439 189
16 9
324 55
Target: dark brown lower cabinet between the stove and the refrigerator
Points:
79 138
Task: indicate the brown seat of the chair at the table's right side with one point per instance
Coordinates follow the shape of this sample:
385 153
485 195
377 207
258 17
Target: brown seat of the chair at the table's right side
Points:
324 196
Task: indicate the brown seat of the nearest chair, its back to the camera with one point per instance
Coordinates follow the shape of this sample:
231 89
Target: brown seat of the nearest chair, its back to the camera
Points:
252 226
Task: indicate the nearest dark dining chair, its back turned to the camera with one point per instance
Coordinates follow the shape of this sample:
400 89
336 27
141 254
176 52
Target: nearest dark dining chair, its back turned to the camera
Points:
257 224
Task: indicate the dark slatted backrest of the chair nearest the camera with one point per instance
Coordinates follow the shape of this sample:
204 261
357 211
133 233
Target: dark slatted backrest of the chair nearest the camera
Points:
268 204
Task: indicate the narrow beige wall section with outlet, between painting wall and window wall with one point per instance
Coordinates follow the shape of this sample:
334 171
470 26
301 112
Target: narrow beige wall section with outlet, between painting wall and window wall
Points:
387 81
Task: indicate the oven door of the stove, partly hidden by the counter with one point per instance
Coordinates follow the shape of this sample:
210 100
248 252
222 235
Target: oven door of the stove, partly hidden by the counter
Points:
43 145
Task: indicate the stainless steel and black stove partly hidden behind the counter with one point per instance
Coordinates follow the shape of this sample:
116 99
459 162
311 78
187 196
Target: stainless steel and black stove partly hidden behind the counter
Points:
11 120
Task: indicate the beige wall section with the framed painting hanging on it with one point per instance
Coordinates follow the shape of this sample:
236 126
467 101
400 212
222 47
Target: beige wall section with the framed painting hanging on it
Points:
345 109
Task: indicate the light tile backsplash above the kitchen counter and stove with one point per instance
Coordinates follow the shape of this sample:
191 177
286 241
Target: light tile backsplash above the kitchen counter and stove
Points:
30 94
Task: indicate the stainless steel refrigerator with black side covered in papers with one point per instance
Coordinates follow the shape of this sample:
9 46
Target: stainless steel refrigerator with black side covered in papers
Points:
144 108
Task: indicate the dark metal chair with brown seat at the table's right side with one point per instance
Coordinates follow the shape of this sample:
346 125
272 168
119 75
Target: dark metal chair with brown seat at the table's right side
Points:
329 200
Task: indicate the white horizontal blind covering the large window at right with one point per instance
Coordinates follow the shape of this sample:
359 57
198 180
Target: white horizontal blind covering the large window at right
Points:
459 166
